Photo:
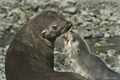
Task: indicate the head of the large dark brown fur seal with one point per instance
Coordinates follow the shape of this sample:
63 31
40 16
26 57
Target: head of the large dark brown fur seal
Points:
49 25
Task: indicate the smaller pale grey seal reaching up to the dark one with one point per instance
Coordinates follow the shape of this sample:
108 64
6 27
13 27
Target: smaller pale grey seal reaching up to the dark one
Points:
84 62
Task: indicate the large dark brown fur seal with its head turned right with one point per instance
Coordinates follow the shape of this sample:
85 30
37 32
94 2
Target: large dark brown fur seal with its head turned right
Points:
30 55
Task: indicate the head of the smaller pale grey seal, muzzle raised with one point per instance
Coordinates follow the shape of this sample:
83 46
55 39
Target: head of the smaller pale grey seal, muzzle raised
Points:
75 44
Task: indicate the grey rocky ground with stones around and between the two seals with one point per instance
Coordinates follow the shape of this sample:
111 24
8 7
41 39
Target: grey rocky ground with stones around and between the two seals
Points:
97 21
